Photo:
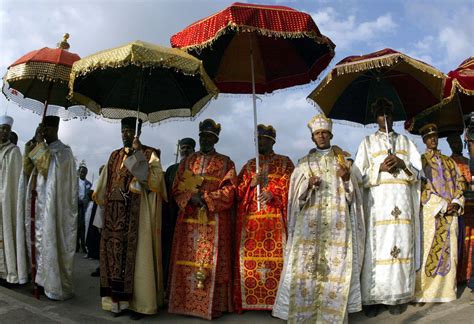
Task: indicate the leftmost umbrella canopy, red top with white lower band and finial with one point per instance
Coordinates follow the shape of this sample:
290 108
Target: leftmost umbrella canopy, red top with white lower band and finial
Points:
38 81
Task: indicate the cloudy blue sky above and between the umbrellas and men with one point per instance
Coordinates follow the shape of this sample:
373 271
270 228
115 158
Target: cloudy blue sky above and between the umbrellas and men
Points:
440 33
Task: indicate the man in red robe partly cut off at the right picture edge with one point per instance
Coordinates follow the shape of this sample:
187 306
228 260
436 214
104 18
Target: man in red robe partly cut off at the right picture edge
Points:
466 221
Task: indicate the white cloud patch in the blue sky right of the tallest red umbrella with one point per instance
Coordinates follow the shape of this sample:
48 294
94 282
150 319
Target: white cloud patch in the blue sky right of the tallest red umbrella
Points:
345 31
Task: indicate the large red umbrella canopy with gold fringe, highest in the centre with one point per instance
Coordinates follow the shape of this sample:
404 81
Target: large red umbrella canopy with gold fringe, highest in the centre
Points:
287 47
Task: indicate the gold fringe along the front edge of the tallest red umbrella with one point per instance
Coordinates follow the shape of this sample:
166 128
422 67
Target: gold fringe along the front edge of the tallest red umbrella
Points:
320 39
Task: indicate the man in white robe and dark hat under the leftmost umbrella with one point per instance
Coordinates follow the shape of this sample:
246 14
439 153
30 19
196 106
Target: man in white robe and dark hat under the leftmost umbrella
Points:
50 168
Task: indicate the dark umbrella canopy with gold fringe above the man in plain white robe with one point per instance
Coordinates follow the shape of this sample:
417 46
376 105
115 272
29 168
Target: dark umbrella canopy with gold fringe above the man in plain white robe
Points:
350 88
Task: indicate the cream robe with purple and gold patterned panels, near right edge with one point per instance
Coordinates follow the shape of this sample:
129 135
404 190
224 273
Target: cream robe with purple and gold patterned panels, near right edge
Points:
436 282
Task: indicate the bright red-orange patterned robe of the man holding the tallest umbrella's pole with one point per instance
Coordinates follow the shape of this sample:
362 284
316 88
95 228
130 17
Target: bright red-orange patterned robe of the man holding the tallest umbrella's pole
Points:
261 235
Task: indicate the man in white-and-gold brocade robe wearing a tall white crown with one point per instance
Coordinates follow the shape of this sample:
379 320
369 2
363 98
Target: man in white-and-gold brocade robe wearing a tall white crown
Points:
323 258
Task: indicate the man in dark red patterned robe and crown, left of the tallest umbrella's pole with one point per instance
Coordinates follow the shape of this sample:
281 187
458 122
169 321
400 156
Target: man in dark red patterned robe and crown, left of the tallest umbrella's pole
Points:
200 282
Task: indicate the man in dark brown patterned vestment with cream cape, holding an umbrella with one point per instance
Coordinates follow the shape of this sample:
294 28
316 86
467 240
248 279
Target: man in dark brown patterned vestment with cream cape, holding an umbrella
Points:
132 188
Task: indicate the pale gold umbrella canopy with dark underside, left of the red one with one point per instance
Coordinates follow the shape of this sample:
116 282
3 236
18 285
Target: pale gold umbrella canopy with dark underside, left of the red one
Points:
159 82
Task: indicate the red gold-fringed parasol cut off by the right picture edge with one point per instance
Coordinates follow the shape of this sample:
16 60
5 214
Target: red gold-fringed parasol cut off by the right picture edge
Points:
458 100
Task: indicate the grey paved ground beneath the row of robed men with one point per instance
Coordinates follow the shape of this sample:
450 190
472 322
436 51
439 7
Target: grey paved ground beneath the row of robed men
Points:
17 305
